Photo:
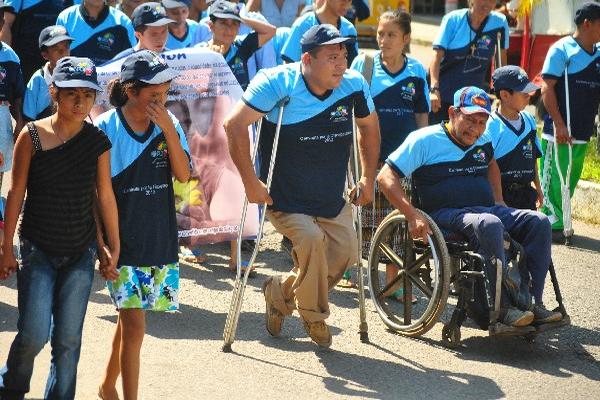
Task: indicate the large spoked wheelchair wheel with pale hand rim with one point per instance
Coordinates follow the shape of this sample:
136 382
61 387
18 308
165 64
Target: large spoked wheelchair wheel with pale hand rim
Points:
423 271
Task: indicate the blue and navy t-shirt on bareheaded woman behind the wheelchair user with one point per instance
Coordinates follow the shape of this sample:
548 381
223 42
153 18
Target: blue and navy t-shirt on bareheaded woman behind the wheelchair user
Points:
397 98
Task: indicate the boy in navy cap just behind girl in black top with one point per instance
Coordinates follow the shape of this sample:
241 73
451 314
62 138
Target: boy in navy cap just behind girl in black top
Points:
54 44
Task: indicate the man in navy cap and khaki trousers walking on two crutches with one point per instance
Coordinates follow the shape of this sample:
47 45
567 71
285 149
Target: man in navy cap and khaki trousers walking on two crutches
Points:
306 200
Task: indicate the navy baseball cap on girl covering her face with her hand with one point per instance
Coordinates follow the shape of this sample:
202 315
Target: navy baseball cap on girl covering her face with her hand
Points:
148 67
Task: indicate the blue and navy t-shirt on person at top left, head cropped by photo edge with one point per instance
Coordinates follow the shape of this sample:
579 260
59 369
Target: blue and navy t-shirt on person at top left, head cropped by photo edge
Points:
101 39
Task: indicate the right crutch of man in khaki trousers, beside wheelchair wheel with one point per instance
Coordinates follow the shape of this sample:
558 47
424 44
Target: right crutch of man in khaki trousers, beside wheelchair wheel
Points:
353 178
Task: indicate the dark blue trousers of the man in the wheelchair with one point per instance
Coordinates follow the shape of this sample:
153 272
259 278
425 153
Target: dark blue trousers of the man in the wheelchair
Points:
485 226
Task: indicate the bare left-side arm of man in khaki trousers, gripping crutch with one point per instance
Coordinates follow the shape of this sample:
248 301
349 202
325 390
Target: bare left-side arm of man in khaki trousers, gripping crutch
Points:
236 126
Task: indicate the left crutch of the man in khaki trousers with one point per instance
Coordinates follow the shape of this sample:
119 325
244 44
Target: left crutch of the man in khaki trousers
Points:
240 282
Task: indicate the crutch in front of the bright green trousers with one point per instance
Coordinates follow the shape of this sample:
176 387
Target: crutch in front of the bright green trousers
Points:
565 181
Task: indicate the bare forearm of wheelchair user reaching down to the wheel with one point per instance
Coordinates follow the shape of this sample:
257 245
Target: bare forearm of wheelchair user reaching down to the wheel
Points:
389 183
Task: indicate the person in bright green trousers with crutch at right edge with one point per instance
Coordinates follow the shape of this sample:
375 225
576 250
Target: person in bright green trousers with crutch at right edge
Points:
571 94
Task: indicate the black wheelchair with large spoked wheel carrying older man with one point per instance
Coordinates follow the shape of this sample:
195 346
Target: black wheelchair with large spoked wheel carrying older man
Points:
427 270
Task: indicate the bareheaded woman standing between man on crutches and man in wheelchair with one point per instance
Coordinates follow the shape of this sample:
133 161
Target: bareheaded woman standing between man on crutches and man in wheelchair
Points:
398 85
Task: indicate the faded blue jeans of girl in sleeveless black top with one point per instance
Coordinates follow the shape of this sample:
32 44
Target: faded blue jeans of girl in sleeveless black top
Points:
53 296
